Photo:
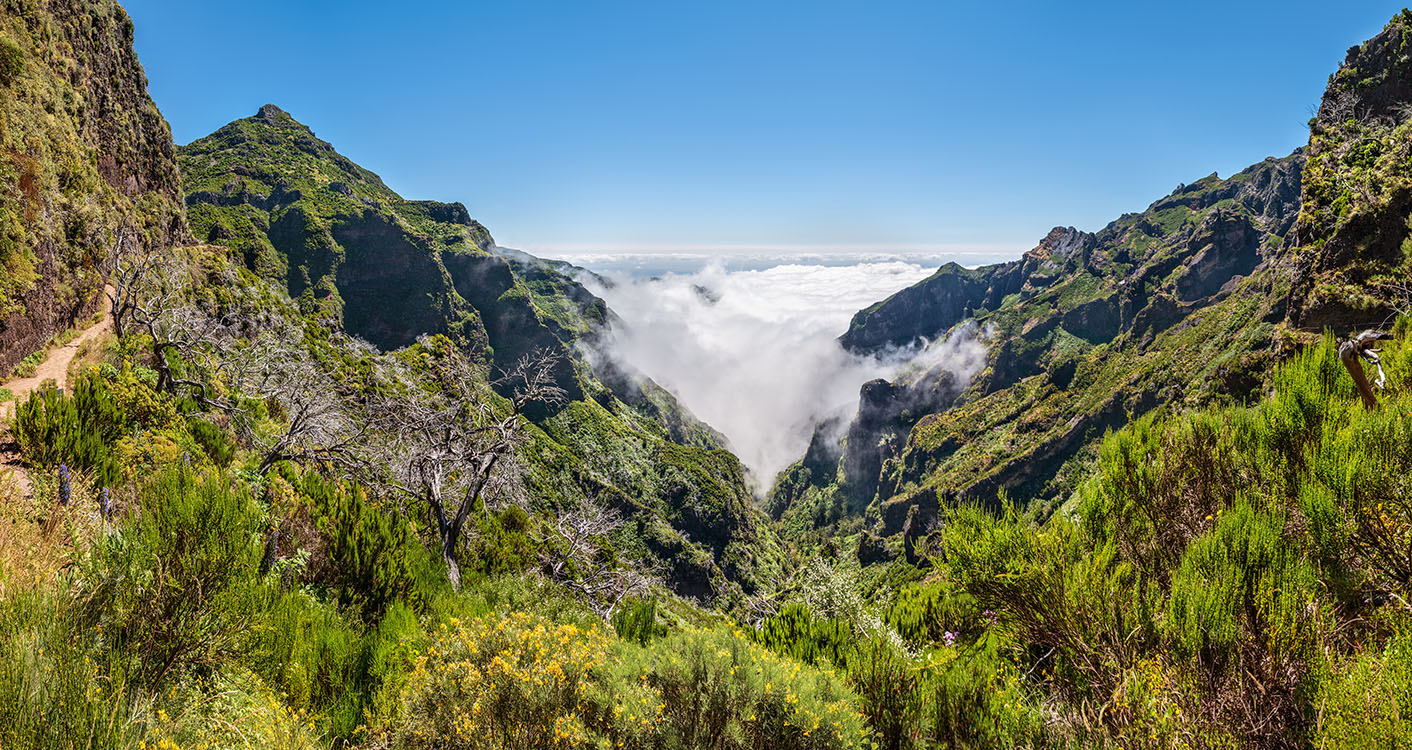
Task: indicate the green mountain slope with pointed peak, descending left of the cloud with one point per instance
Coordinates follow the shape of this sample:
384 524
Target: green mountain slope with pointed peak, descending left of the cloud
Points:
358 256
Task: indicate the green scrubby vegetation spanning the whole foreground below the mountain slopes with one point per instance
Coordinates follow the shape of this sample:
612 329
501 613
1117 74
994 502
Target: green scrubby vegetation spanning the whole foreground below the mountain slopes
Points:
1231 577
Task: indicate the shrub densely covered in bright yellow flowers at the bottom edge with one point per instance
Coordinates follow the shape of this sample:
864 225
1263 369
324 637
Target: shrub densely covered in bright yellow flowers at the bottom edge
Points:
513 681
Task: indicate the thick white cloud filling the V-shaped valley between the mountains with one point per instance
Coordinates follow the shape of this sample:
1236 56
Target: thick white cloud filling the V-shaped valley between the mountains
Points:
755 352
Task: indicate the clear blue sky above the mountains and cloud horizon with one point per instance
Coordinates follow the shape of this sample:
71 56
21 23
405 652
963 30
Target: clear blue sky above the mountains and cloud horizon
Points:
636 126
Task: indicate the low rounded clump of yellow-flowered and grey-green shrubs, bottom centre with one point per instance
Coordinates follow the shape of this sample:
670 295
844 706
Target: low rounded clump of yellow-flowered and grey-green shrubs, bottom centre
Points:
525 681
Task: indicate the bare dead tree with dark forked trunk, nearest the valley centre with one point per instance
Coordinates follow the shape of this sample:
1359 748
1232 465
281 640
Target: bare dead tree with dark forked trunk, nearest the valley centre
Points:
447 447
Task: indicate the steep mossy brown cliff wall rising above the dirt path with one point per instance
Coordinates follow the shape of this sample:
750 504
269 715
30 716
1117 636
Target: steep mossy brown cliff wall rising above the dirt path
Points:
84 155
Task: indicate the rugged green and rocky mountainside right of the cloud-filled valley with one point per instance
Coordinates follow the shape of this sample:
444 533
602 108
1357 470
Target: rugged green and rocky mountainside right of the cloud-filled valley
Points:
1175 304
